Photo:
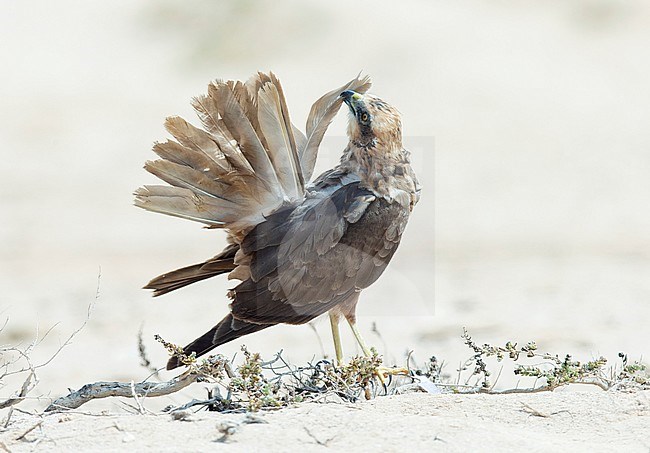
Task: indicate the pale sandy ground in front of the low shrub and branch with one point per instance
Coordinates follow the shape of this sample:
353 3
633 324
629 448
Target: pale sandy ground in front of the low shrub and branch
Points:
570 421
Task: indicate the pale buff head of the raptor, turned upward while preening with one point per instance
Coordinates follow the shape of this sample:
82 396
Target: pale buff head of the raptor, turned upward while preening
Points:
373 123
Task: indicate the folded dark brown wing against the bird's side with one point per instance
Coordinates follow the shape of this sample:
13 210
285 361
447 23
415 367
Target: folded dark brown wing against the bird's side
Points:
306 262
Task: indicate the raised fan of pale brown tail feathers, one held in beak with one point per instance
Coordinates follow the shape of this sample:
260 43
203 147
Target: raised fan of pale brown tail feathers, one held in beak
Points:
246 161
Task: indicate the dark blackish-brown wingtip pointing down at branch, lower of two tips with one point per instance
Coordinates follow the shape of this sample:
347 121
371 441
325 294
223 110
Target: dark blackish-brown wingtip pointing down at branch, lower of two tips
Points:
227 330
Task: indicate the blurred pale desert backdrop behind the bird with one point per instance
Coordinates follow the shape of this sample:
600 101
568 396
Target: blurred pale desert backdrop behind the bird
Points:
529 124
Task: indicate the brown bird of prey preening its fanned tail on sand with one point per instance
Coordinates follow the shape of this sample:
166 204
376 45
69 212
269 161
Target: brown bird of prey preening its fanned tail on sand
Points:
299 248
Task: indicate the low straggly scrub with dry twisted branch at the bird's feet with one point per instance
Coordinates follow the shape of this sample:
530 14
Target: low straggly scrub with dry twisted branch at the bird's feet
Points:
254 384
